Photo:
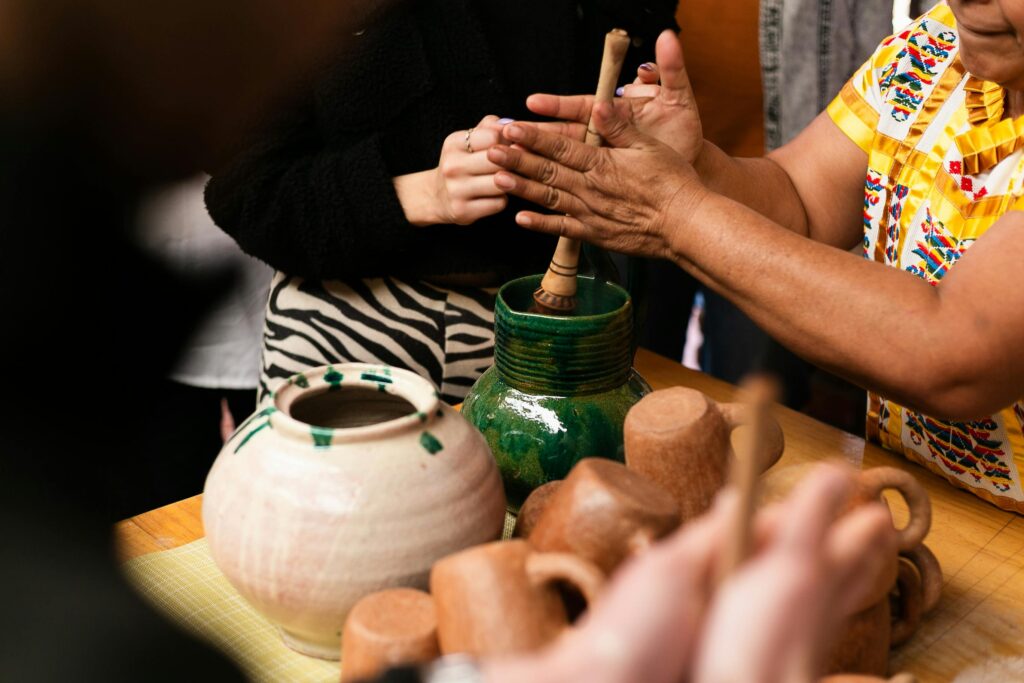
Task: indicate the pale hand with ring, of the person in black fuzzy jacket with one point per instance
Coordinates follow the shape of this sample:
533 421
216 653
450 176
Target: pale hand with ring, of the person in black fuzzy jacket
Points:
461 190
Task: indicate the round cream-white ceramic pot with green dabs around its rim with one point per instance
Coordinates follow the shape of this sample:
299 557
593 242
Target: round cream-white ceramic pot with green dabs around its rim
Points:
358 479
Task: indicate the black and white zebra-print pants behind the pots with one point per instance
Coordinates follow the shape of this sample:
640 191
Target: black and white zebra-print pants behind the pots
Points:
445 335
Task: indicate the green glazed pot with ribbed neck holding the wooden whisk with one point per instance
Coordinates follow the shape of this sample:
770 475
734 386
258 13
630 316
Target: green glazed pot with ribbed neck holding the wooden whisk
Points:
560 389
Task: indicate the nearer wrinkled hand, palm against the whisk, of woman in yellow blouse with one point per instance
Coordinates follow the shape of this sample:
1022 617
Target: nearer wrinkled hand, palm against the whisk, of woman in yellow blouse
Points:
616 198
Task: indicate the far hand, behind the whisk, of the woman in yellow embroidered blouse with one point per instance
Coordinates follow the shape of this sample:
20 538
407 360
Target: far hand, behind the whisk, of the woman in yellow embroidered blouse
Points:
667 113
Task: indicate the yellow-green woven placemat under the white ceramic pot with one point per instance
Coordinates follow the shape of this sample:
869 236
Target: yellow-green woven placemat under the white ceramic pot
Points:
188 587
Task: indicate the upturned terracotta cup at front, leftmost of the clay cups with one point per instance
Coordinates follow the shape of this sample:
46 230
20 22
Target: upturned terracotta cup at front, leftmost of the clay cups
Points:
389 629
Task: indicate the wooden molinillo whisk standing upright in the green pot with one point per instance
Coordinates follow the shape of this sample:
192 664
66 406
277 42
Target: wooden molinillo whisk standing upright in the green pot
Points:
559 289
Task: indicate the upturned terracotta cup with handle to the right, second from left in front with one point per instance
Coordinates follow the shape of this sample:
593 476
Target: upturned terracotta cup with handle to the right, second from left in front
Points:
502 597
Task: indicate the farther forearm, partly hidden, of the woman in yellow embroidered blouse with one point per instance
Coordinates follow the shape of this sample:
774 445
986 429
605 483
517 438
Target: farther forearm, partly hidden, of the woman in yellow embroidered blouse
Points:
758 184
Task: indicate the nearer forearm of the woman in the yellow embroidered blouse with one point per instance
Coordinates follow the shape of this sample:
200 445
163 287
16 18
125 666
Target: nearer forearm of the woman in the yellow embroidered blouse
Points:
882 328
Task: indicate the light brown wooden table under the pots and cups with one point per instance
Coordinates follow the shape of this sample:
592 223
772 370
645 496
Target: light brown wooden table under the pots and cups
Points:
982 548
